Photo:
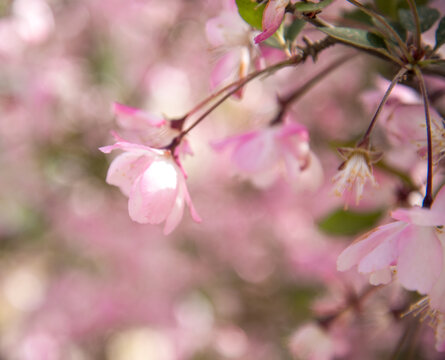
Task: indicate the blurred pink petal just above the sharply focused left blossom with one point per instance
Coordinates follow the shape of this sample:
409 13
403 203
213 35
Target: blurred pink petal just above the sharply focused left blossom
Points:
135 119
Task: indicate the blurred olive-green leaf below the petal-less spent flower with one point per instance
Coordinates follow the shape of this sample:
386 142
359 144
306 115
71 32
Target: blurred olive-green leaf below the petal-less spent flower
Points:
348 223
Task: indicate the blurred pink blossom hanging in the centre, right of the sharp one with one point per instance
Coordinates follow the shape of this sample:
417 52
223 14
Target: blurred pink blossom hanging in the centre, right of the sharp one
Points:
264 155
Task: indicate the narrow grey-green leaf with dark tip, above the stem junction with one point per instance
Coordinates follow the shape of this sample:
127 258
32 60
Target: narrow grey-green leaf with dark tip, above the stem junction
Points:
357 37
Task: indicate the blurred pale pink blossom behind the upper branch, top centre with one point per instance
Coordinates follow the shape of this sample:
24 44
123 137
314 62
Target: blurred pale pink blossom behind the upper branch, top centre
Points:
232 38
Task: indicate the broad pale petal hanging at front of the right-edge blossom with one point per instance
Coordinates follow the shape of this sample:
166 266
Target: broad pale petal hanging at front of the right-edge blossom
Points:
420 260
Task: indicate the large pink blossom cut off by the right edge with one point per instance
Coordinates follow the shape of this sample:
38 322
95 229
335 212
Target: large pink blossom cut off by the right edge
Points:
413 247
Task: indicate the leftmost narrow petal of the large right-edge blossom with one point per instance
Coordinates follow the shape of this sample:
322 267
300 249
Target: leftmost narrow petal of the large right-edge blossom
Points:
354 253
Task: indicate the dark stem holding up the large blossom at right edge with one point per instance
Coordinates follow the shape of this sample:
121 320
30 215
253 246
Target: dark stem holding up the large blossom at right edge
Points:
428 199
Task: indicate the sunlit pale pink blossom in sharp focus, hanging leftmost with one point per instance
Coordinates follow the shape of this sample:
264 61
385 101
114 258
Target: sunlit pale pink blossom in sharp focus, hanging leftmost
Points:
153 182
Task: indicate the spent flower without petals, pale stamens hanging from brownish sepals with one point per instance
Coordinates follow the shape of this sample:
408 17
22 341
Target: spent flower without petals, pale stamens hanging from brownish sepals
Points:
354 172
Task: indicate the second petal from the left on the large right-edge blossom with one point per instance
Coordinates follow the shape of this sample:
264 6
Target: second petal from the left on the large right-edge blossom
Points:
386 253
